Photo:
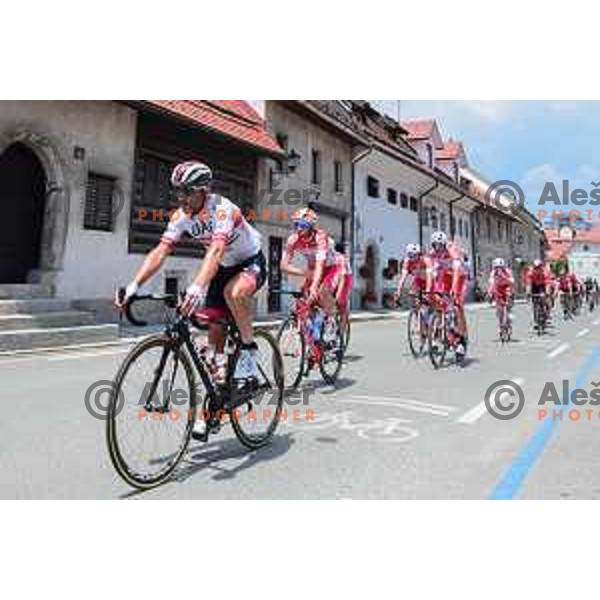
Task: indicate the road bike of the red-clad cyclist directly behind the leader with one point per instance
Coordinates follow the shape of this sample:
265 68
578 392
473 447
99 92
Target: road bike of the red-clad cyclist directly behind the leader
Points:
302 350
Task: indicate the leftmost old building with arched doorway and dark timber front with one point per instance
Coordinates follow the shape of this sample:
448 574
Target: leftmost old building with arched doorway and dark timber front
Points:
84 187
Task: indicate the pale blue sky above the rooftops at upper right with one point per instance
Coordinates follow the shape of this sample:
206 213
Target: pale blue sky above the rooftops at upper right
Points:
530 142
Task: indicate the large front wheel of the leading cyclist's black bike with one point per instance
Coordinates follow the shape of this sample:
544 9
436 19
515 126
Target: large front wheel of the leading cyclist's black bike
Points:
151 412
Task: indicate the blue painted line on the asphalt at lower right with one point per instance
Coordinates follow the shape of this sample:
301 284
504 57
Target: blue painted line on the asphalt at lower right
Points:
513 480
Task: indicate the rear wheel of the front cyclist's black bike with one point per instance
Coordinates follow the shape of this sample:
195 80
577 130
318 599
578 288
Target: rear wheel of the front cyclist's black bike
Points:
255 421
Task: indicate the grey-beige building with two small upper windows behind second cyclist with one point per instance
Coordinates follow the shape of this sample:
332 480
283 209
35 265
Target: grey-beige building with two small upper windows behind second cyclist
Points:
320 144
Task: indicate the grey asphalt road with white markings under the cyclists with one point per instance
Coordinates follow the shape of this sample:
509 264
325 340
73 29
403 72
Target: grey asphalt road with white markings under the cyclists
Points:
393 428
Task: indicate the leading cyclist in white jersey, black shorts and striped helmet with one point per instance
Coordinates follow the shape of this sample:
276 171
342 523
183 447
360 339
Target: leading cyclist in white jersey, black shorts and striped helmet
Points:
233 269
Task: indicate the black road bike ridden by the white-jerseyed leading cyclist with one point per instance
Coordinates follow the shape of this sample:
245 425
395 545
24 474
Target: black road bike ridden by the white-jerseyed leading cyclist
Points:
155 396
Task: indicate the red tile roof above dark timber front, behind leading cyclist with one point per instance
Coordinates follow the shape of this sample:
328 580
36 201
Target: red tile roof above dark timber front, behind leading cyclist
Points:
233 118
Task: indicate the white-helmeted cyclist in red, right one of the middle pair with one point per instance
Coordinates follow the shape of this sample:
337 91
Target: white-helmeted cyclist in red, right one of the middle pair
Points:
446 275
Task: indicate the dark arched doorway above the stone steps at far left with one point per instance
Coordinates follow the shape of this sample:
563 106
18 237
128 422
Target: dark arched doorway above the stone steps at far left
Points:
22 199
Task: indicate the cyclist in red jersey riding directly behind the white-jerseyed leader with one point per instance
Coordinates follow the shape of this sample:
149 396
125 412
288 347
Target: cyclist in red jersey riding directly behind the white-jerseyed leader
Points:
317 248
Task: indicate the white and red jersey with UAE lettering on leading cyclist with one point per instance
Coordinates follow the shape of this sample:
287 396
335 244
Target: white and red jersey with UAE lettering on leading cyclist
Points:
219 219
